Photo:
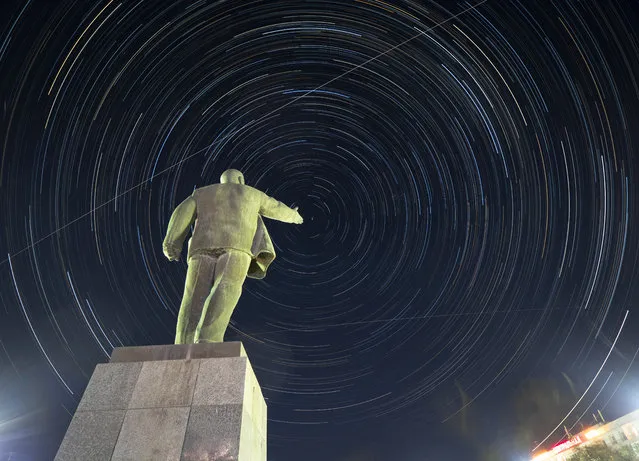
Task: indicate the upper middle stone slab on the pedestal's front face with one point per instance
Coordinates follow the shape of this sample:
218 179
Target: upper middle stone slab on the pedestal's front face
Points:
165 383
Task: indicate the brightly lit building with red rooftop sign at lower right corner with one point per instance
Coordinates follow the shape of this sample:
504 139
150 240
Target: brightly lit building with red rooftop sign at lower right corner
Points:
622 432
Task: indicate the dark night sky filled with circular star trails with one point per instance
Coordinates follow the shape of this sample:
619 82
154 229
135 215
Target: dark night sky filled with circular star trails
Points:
467 174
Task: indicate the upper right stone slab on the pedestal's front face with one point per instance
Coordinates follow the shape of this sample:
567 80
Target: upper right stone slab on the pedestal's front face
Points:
221 381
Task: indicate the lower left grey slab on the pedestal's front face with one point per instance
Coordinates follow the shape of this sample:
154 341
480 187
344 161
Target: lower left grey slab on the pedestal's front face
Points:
91 436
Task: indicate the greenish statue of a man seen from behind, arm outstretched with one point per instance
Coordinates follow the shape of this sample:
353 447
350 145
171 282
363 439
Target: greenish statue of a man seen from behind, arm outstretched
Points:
229 243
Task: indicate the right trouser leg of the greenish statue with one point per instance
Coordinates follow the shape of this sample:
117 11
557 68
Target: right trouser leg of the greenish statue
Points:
230 273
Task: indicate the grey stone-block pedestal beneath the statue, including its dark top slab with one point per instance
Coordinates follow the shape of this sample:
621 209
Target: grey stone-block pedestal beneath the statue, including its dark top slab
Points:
195 402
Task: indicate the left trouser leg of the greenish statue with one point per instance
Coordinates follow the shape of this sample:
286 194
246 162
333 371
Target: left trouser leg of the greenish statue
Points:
199 279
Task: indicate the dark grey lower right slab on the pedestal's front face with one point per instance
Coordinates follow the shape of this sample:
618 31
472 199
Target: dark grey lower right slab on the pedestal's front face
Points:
213 433
